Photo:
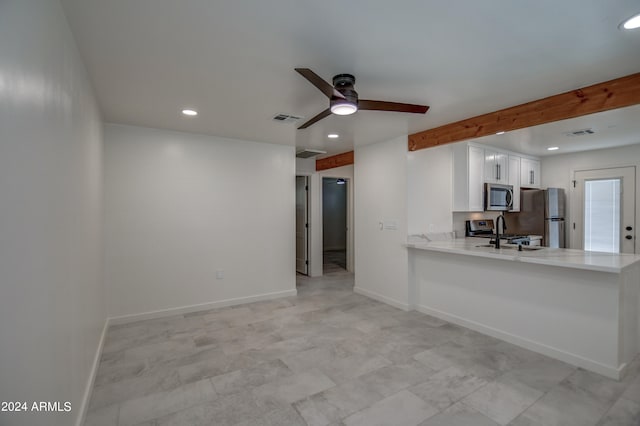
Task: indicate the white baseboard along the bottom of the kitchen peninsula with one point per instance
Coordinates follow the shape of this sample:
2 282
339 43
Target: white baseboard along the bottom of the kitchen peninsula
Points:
589 364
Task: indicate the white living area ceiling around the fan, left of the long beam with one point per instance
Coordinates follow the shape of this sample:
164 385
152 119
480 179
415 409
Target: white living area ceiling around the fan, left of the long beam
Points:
234 61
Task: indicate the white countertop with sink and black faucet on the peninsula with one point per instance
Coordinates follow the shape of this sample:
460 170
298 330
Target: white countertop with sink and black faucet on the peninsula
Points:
566 258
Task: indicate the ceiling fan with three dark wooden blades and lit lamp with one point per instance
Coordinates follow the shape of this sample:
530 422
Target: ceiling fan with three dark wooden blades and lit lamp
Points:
343 99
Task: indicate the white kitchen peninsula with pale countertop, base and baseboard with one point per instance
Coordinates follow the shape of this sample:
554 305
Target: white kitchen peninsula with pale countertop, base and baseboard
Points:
576 306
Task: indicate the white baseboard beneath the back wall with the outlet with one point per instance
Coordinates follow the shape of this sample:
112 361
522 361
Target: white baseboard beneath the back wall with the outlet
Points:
124 319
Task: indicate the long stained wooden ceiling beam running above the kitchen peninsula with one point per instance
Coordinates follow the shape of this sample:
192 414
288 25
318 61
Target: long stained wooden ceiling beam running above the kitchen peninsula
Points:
618 93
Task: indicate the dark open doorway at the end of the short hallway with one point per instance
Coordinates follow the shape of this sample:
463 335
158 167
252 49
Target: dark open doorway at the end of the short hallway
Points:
334 224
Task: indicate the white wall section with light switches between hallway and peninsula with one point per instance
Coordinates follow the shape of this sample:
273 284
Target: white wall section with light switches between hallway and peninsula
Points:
381 261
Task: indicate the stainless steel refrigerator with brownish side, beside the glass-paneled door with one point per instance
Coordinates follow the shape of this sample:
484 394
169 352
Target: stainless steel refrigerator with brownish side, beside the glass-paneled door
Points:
541 213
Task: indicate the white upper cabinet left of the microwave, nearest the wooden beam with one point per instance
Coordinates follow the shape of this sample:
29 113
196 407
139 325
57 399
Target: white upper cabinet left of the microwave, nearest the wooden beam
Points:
468 178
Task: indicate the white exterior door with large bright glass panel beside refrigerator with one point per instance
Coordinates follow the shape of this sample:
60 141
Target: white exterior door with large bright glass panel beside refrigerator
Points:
604 215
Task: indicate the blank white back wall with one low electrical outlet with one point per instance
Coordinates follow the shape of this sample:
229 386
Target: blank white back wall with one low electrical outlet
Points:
180 207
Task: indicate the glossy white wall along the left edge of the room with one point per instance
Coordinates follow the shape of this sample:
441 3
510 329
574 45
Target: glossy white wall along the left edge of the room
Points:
52 309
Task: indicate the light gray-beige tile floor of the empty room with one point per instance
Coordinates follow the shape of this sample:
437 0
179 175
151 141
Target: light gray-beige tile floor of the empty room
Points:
332 357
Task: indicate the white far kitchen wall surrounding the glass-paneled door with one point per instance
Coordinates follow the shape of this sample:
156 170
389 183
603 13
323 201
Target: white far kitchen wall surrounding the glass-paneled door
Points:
558 170
